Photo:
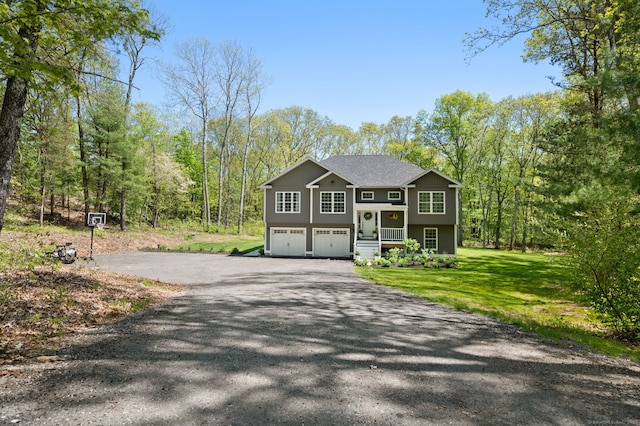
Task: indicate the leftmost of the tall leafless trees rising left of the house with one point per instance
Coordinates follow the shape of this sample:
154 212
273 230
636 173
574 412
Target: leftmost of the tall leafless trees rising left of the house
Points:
192 83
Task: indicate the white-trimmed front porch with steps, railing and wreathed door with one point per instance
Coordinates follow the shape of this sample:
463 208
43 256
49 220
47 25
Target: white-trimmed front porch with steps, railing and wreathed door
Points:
378 226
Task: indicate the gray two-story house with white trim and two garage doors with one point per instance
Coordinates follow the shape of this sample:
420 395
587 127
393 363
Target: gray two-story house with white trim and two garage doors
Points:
358 204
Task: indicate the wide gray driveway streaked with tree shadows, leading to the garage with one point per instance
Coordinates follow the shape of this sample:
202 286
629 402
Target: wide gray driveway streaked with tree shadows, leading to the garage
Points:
285 341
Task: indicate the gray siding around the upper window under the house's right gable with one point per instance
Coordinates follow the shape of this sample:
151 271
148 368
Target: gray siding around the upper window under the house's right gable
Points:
432 182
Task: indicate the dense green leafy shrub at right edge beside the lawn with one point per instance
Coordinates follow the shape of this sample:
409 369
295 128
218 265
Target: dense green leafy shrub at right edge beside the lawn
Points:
604 255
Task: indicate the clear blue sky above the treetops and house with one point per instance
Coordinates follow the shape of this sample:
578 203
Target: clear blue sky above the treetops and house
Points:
353 61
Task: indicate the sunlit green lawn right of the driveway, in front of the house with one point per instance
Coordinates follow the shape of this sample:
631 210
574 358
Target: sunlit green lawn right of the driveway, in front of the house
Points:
523 289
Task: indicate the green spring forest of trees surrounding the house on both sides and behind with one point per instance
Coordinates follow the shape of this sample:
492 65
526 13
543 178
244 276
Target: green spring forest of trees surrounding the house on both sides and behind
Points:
558 169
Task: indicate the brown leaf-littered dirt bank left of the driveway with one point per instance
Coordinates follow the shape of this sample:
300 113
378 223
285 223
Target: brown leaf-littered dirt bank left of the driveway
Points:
43 307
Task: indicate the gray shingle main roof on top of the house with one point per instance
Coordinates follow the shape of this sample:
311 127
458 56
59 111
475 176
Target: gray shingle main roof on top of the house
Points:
373 170
